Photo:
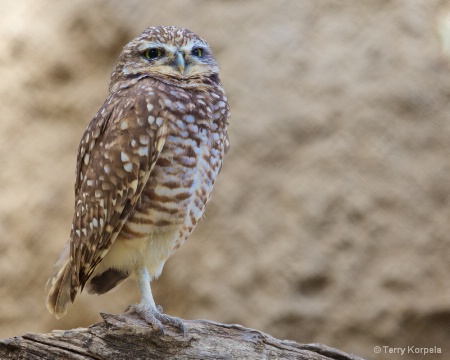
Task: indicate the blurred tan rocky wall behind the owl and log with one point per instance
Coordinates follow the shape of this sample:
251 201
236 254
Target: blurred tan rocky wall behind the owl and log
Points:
330 221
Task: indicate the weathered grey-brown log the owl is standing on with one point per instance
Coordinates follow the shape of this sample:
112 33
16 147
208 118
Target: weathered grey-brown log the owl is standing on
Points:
128 337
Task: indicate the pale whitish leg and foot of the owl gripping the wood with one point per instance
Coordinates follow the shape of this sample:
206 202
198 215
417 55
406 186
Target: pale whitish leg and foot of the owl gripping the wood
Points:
147 308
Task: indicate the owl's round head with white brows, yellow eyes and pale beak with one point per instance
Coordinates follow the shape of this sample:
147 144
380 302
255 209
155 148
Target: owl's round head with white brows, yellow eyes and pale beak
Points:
173 54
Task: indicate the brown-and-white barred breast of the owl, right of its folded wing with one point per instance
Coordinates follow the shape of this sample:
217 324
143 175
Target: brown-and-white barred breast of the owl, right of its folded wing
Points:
181 182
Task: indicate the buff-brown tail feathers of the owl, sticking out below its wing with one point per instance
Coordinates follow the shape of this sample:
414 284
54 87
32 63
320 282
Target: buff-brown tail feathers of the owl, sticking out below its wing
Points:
63 290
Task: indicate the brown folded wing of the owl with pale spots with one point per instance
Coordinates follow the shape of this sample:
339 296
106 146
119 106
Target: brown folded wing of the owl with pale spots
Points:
115 158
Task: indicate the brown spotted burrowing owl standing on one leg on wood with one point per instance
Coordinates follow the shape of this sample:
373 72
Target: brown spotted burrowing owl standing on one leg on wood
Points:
146 167
